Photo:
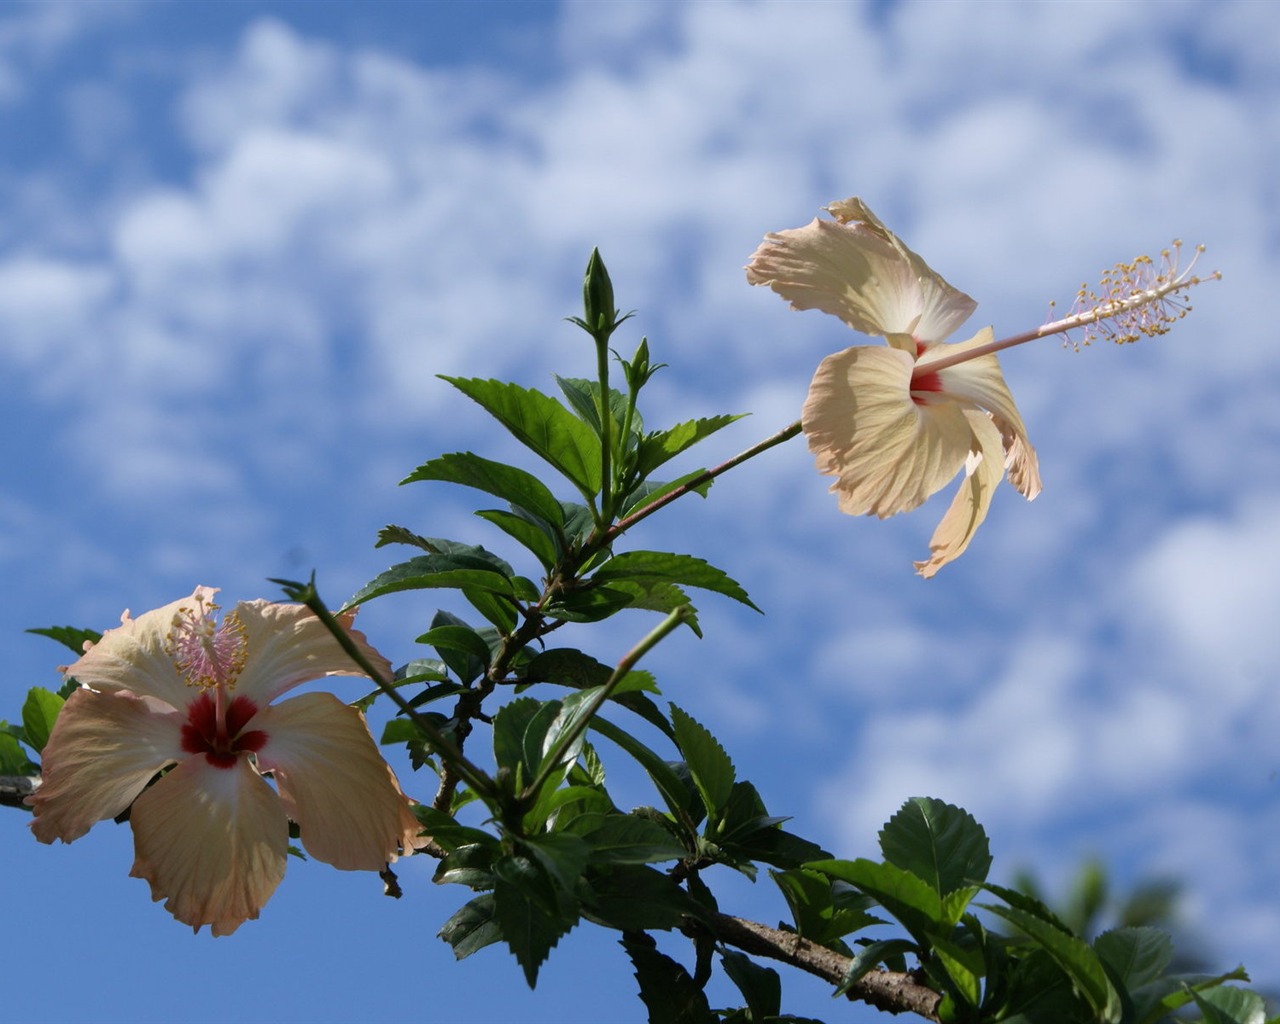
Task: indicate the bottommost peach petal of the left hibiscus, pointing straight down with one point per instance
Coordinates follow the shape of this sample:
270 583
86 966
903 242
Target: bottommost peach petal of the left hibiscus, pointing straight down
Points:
212 843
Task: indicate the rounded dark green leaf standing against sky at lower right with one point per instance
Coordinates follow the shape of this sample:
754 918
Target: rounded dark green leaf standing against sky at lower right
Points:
939 843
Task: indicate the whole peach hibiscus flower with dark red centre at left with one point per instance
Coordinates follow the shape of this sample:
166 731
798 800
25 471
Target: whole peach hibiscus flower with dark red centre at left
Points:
182 693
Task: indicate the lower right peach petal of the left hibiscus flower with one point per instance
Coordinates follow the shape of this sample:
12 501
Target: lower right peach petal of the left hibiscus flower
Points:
335 784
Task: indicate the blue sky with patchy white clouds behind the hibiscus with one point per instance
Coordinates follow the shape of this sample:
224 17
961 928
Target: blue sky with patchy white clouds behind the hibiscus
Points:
237 241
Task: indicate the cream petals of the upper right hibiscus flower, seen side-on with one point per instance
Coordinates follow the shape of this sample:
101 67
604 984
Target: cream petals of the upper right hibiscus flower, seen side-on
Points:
895 424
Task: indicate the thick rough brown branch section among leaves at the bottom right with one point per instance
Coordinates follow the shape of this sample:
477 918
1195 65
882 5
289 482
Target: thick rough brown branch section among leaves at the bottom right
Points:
886 990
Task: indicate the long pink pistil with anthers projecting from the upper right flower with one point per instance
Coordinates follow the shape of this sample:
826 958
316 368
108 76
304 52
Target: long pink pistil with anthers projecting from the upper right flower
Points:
1133 300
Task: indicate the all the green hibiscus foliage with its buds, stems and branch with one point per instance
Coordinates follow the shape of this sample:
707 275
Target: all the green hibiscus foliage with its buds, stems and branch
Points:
531 829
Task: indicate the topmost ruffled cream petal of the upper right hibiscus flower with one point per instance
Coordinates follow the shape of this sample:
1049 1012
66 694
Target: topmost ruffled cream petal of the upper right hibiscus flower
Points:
857 269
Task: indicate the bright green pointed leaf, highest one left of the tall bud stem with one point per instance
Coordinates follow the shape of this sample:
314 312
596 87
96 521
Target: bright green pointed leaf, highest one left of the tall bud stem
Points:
543 426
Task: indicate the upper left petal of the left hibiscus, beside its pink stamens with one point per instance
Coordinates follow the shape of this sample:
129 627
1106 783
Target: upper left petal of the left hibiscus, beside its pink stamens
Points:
134 656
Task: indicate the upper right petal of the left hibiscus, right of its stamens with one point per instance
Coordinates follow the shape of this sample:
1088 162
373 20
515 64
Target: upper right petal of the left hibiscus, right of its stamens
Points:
289 646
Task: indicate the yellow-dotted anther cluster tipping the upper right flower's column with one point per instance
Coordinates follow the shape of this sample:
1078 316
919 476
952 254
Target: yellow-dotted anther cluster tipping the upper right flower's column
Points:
1136 299
